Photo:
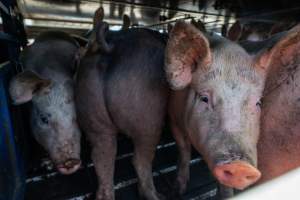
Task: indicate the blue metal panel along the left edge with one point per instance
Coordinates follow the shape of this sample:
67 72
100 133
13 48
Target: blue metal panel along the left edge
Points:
12 180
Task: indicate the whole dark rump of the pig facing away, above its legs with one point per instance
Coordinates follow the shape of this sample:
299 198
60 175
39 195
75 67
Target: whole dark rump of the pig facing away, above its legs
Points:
126 87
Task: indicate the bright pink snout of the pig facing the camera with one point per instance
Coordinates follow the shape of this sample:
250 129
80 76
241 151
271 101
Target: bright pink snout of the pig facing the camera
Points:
237 174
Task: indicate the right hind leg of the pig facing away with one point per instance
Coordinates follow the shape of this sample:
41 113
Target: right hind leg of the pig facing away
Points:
144 150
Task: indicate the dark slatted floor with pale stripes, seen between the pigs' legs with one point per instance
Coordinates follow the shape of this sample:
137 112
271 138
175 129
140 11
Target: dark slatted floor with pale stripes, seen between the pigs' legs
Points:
43 184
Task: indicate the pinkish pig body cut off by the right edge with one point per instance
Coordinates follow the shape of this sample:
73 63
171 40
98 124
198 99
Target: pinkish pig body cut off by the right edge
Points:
278 145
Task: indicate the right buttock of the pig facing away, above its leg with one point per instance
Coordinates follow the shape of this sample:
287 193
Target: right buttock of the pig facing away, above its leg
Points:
136 88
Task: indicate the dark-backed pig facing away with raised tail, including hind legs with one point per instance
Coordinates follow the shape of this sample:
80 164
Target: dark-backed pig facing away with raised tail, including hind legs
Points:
121 88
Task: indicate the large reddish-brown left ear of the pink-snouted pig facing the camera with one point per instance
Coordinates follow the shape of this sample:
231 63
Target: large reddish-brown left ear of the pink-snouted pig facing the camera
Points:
187 48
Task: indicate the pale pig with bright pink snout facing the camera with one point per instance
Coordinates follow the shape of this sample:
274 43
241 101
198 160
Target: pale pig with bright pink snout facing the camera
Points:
215 104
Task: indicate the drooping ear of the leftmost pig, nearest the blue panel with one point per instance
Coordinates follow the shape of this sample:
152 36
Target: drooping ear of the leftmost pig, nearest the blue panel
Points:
25 85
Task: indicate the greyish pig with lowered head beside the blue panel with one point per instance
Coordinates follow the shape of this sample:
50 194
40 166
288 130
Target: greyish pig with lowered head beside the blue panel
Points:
47 81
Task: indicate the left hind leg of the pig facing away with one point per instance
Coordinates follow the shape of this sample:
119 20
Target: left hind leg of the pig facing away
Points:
104 150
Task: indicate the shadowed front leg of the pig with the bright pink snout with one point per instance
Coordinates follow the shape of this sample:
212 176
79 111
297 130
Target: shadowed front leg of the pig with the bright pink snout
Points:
184 147
